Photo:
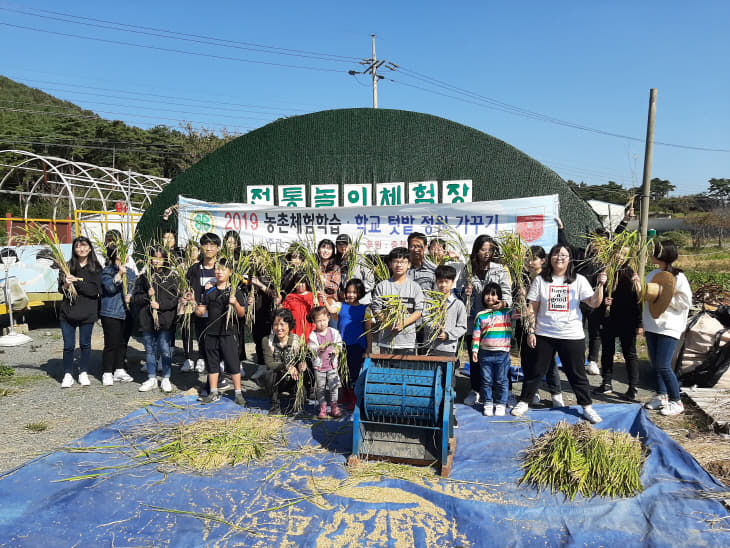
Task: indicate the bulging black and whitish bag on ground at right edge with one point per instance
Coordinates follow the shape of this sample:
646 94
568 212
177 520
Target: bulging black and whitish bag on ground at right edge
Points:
703 352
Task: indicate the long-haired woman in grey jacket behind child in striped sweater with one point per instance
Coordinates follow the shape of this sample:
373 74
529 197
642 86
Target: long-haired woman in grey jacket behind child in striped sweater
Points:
484 271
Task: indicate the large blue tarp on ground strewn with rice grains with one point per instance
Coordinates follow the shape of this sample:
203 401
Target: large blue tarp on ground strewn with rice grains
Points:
480 505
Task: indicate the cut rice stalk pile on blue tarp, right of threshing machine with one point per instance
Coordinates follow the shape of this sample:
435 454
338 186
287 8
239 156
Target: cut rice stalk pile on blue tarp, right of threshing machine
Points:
581 459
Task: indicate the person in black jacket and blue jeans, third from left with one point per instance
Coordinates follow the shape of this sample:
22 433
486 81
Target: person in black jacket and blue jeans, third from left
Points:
155 298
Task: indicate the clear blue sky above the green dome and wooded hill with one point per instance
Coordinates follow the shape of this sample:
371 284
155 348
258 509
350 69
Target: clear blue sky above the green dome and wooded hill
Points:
590 64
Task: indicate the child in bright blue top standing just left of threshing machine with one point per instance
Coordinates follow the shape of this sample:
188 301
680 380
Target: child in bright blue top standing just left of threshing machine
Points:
351 325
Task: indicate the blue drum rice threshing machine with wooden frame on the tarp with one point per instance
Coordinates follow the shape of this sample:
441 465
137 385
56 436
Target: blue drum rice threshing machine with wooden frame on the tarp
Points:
405 411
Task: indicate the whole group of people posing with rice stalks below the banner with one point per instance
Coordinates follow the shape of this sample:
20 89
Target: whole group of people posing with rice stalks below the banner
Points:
351 313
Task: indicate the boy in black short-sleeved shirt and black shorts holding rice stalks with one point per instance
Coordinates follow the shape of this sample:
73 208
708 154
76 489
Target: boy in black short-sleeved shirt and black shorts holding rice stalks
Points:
221 334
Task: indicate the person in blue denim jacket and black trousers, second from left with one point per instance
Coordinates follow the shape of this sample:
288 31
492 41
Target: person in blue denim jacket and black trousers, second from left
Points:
116 318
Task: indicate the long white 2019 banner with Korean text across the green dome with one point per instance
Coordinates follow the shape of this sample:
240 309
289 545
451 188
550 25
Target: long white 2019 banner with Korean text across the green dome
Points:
382 228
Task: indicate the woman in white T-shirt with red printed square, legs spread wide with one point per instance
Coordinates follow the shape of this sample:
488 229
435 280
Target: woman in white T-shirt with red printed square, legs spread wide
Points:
555 296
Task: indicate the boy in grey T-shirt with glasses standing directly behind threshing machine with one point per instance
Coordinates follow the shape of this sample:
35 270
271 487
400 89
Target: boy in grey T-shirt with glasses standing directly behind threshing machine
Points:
401 338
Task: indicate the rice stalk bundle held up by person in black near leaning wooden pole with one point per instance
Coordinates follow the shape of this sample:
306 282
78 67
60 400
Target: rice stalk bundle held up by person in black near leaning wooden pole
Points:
610 253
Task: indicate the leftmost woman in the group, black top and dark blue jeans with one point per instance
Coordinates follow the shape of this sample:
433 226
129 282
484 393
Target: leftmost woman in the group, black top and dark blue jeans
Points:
79 308
